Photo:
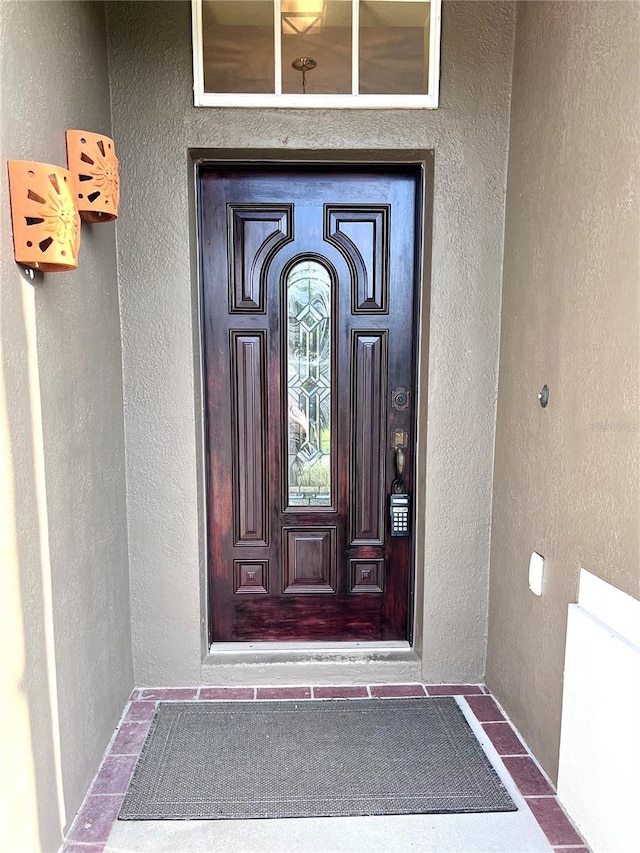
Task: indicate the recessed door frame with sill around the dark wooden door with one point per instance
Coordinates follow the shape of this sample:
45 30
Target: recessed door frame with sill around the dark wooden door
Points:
398 660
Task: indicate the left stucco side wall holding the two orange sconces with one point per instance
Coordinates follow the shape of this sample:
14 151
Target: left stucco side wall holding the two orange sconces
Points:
66 660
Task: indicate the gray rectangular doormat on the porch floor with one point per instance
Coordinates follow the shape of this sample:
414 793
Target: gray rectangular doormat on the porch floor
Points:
217 760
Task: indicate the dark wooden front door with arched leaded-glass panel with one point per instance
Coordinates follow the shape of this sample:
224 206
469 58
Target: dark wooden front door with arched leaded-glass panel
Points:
309 339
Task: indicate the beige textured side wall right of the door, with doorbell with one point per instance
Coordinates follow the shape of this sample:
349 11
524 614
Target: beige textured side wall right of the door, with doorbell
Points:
566 477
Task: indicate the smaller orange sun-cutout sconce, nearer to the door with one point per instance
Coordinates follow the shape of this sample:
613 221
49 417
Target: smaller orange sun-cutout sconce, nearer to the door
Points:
94 172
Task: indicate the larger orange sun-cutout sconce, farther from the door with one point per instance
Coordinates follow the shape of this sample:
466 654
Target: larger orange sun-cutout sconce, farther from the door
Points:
46 225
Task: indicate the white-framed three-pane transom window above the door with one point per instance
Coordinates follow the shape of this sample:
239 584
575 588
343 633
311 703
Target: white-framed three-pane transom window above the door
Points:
316 53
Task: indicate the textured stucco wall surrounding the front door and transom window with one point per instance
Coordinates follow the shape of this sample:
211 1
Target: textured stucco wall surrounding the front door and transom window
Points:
156 124
